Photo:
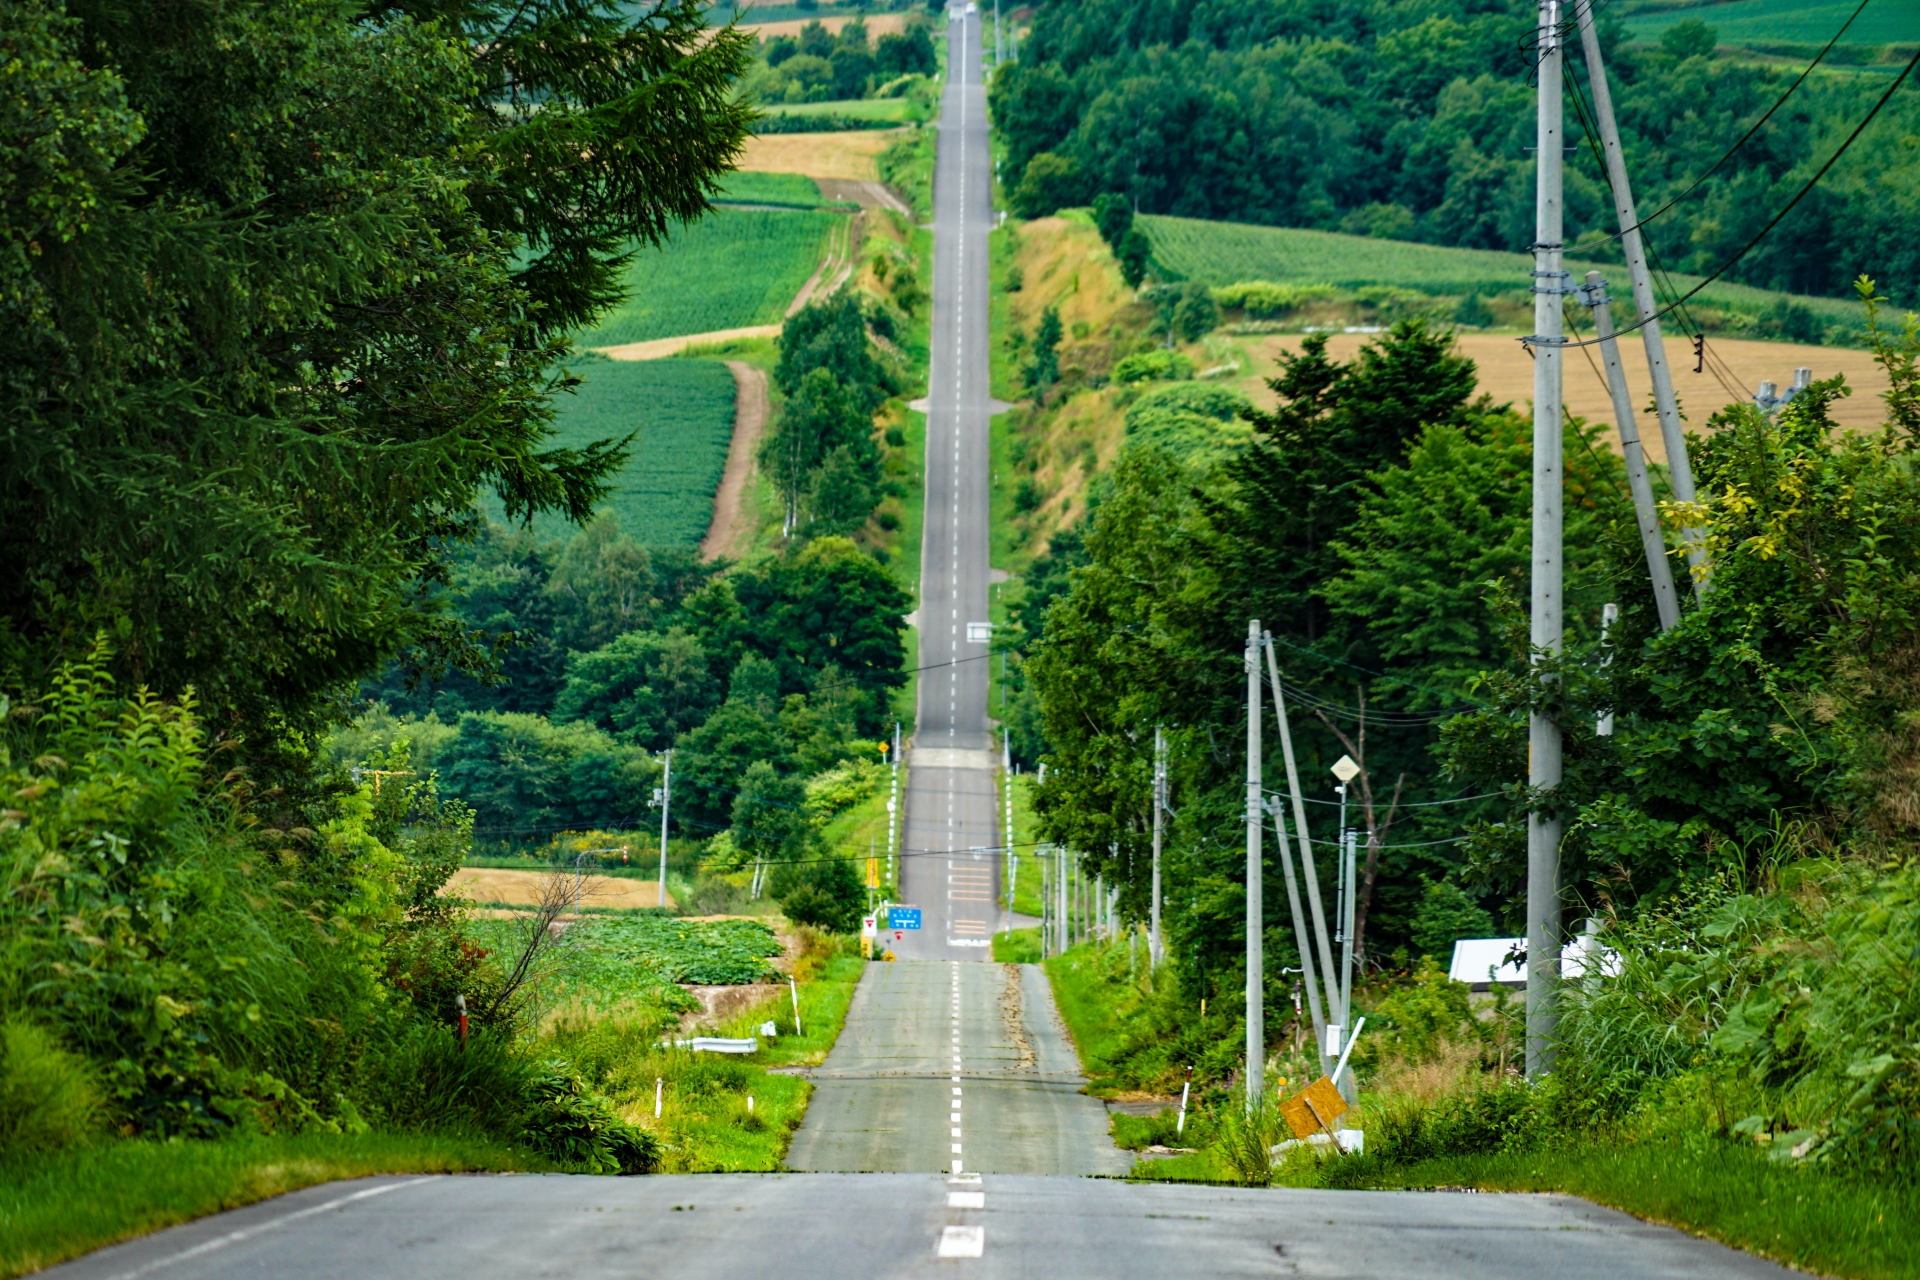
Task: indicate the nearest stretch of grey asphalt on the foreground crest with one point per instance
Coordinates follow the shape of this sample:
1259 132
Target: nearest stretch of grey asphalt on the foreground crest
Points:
852 1227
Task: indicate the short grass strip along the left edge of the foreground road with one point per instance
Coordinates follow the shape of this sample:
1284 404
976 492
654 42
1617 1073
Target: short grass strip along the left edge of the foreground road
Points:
72 1202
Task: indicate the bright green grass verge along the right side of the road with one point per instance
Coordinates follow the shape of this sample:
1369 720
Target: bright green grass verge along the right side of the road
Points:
1723 1189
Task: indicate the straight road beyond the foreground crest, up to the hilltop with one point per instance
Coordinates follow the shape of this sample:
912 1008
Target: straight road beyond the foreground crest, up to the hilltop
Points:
946 1062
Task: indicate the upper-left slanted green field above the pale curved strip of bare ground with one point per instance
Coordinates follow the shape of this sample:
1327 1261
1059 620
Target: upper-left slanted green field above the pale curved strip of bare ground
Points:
731 270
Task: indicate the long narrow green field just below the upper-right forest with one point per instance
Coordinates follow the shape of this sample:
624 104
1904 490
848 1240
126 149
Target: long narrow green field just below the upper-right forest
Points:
1232 252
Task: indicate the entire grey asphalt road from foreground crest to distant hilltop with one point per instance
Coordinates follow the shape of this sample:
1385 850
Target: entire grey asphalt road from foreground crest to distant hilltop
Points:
944 1066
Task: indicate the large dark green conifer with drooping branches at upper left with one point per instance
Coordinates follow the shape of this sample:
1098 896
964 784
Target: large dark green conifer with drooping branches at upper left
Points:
287 291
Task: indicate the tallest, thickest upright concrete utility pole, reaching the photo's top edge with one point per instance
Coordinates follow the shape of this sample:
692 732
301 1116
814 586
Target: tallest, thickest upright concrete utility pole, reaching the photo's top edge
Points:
1545 736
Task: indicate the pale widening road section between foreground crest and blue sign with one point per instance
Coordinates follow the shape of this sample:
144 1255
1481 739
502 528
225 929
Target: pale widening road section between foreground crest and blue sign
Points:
953 1066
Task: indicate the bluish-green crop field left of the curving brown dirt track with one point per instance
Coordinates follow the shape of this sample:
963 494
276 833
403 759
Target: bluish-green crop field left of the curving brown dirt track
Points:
684 415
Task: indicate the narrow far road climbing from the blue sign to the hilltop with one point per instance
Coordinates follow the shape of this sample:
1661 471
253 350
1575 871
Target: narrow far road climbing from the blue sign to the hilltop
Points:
951 811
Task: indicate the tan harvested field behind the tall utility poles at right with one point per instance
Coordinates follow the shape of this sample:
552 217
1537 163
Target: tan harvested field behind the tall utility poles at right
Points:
1508 375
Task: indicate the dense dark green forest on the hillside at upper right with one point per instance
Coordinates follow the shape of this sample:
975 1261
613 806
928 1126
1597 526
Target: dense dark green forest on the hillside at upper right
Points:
1416 122
